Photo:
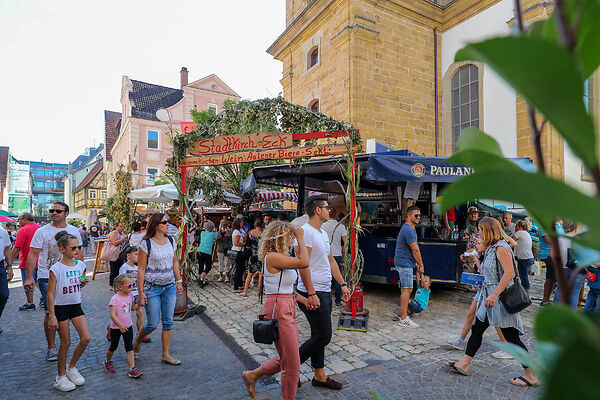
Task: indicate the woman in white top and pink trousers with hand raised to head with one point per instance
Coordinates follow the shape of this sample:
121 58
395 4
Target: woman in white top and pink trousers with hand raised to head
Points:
273 250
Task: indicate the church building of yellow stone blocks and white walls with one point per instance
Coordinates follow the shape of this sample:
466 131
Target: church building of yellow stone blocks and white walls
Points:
388 67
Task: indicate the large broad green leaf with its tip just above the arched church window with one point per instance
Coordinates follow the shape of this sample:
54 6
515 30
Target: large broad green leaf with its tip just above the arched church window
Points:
547 76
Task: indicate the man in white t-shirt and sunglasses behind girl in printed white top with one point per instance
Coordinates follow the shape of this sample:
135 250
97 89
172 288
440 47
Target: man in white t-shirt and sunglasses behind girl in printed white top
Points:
45 254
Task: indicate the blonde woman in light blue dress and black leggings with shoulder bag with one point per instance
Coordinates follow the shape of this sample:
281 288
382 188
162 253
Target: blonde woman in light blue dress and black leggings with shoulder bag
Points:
497 261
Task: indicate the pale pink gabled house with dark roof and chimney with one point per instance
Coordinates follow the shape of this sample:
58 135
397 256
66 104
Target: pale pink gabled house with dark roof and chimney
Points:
142 144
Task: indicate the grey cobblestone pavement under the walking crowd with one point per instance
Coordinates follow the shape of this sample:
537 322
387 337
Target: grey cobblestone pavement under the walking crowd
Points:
217 346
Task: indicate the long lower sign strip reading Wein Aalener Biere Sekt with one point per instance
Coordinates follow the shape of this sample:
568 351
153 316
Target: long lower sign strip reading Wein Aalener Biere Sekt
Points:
274 154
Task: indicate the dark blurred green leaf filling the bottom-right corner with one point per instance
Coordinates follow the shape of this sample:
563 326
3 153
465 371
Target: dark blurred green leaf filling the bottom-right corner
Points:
575 375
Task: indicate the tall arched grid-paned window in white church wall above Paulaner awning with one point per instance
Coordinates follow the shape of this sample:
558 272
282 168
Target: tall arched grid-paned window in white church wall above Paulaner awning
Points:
464 104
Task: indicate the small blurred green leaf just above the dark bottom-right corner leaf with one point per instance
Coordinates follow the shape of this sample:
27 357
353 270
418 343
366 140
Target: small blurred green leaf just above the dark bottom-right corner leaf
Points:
561 325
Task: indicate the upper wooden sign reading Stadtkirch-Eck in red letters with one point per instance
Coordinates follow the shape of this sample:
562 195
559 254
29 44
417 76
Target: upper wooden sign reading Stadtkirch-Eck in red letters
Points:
242 143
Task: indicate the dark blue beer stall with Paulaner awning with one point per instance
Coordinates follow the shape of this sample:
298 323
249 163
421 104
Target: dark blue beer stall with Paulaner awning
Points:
390 183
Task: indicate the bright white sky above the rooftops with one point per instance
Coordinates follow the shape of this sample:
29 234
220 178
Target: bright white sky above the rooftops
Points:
63 61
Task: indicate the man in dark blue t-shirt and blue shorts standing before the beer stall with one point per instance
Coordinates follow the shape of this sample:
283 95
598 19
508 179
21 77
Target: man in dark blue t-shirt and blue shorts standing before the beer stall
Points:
406 258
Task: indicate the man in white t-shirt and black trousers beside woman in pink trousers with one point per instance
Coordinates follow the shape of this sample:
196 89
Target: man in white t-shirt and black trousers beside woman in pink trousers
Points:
315 285
